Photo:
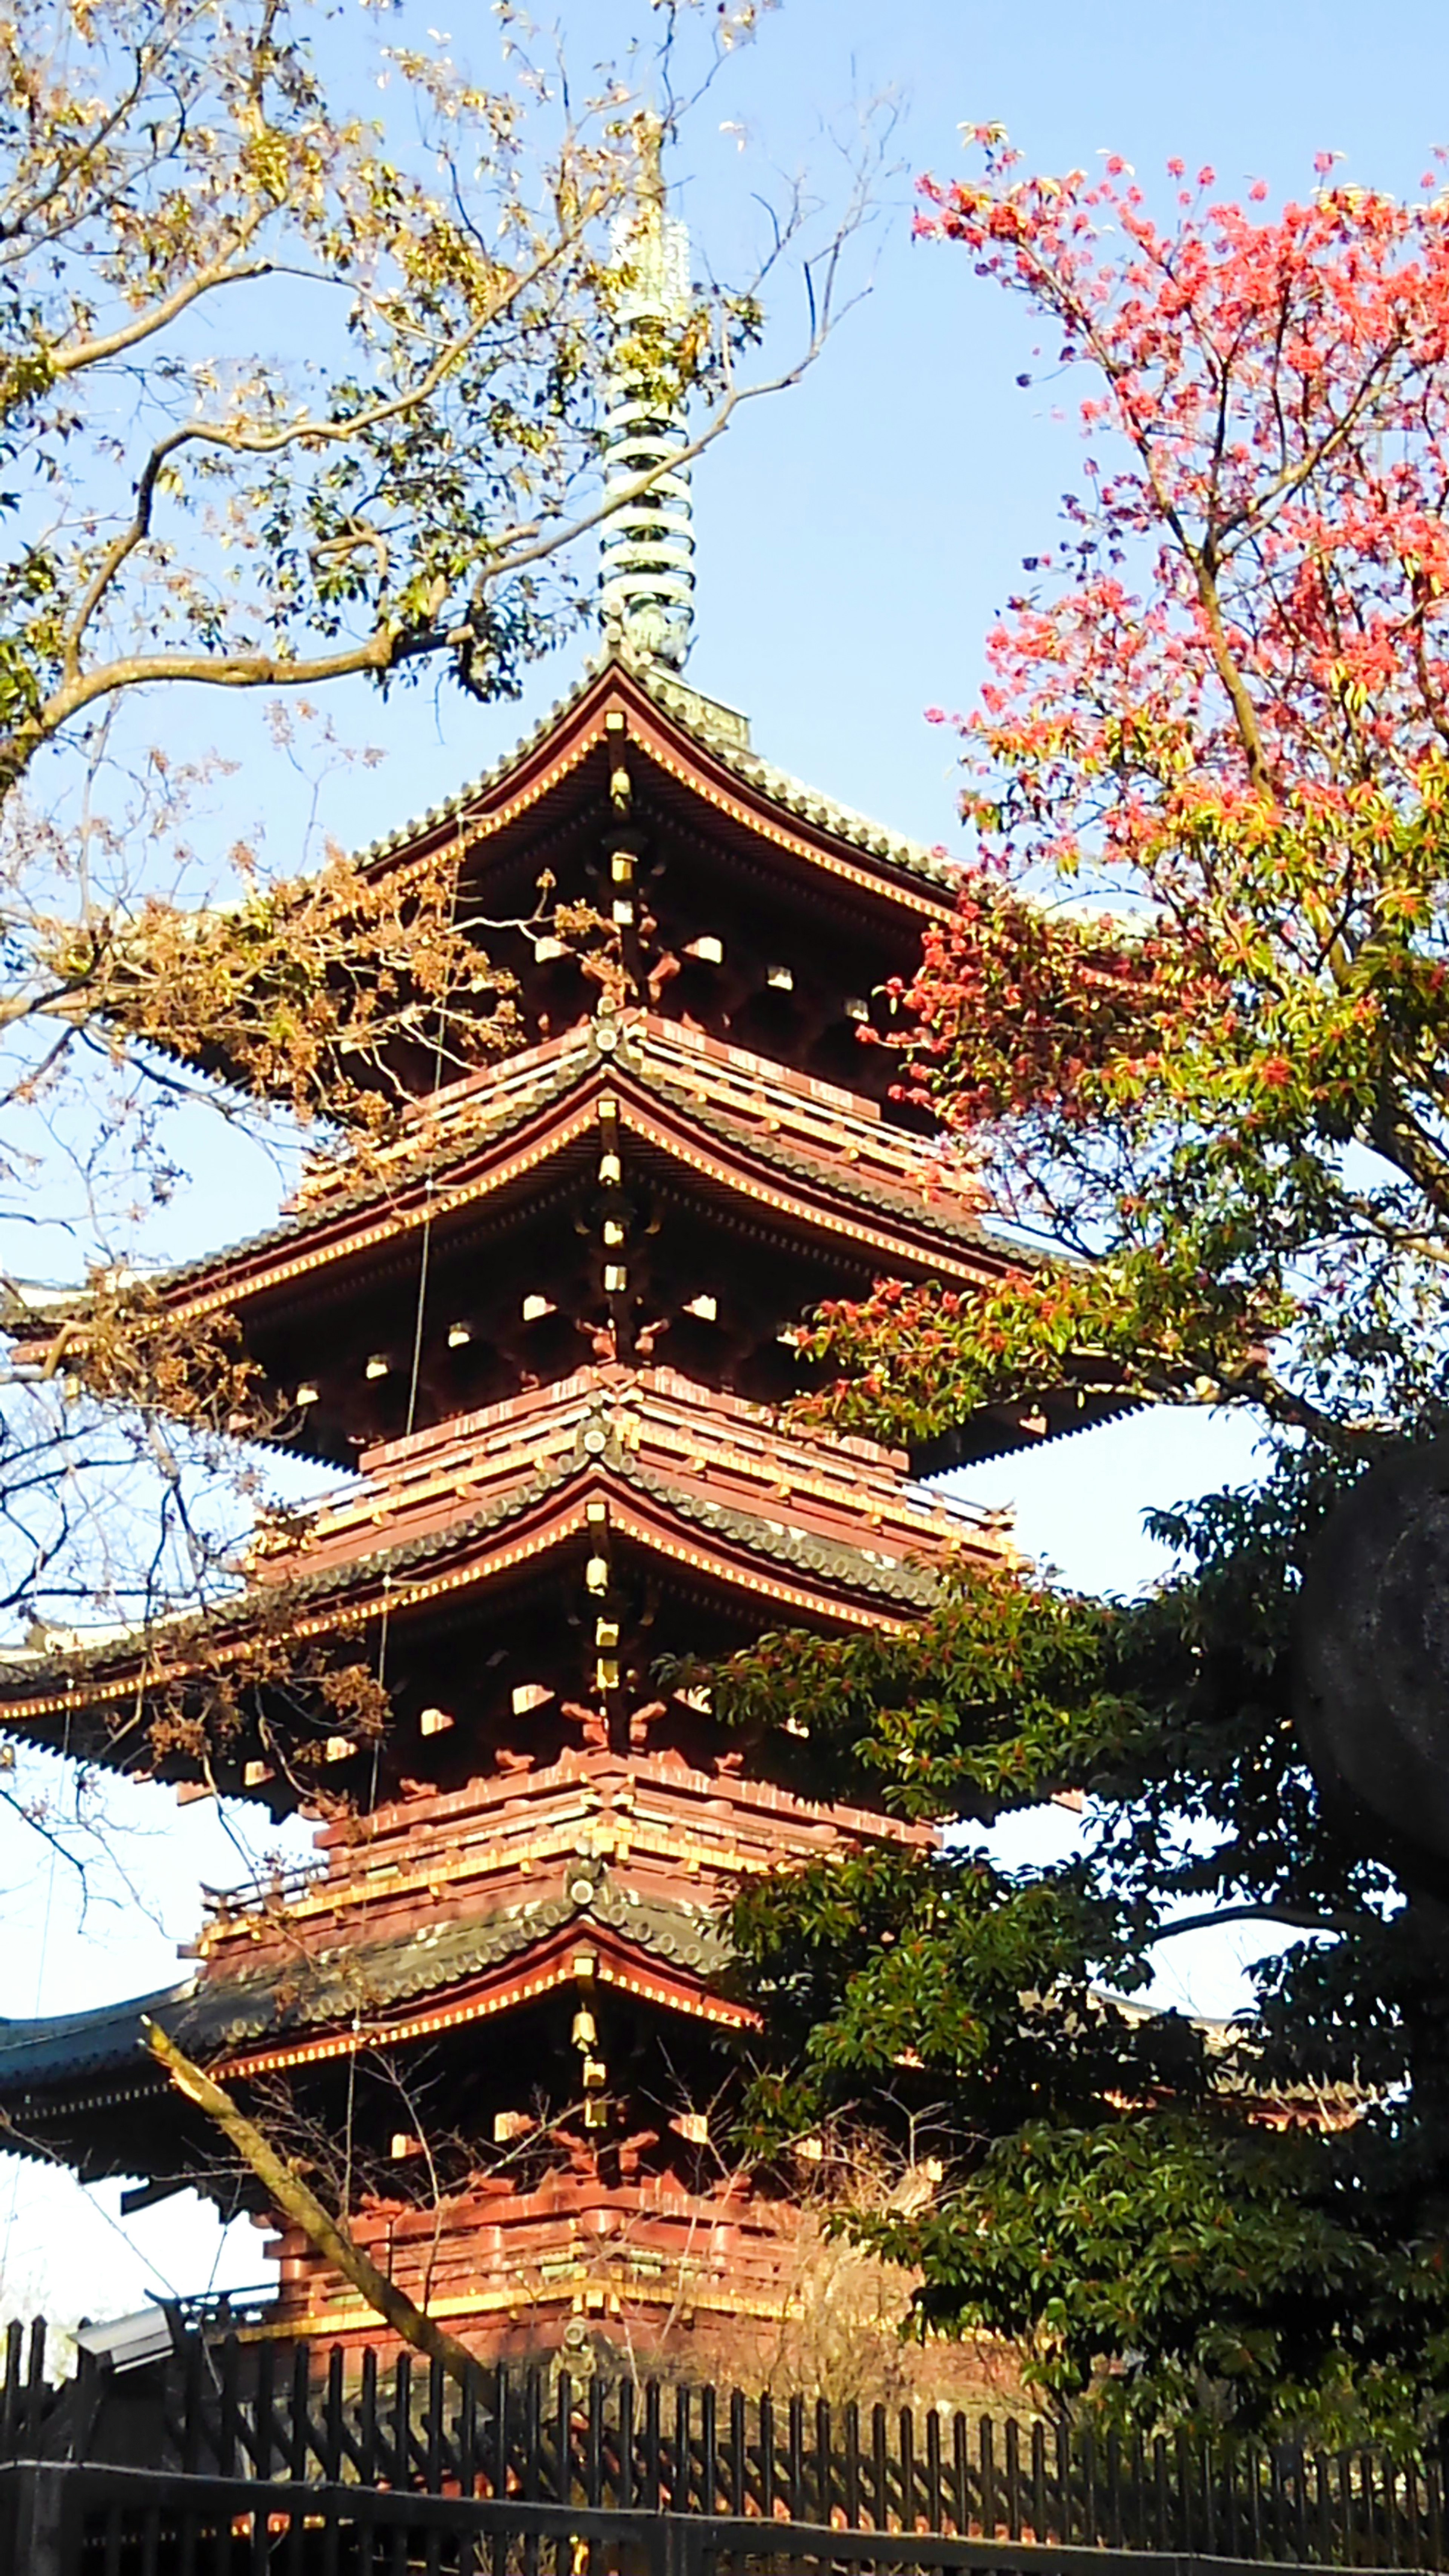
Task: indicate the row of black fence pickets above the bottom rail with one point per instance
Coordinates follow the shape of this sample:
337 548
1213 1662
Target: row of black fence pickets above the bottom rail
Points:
259 2412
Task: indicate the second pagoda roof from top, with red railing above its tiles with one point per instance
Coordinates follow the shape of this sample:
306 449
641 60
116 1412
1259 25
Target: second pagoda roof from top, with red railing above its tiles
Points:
801 1153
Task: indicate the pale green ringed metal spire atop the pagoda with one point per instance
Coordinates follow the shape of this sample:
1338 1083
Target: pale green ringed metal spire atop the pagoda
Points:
648 540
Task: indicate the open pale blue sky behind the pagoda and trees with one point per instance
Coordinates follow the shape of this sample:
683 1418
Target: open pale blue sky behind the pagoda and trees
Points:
855 540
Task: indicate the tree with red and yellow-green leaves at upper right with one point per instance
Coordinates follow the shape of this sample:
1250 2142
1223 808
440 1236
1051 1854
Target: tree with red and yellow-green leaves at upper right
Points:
1200 952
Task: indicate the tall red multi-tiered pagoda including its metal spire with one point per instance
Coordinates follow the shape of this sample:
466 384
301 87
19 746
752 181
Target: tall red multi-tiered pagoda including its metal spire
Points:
548 1338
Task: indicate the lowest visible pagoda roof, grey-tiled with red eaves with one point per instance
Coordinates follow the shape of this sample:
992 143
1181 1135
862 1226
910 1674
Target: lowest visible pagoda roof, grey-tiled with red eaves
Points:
437 1977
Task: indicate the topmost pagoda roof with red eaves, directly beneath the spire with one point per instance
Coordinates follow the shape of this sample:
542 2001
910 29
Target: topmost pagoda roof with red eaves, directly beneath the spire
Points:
700 743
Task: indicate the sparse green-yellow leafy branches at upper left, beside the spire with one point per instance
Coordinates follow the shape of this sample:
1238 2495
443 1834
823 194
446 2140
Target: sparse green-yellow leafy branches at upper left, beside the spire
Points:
287 393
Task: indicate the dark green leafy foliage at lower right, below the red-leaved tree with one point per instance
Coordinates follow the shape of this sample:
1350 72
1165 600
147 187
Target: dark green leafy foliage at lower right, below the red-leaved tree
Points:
1234 2227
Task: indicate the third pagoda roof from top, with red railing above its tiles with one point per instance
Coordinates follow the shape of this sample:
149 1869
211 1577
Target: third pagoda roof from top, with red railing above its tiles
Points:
824 1531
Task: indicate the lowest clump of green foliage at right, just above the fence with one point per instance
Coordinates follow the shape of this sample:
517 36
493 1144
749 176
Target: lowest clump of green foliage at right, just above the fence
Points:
1236 2260
